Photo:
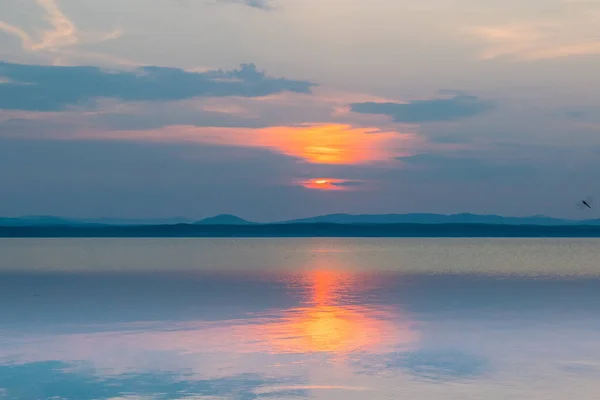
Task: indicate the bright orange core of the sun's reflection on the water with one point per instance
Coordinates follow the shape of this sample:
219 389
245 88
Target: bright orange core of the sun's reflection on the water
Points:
333 321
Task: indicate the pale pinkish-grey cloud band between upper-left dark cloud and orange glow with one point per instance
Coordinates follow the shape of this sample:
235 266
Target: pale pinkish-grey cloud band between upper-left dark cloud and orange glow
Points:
284 108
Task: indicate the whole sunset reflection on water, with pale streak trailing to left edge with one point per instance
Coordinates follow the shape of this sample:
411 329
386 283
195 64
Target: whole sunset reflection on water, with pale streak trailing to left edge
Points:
333 318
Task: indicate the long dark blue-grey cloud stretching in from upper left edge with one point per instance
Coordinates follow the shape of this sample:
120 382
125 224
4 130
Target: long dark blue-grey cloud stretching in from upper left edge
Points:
52 88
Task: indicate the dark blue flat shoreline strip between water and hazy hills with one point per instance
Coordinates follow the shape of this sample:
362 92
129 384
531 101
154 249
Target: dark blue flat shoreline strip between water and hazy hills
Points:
304 230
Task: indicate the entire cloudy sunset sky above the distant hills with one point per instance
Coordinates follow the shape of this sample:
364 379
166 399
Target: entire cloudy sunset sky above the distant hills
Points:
279 109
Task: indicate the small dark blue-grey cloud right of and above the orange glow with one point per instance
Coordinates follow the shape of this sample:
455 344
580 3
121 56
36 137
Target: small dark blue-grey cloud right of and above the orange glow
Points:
459 106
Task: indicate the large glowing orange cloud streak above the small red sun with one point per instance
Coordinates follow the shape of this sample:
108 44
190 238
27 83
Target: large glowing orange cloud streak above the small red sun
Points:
313 143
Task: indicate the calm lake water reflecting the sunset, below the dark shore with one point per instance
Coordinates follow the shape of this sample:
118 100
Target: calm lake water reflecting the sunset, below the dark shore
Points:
89 319
